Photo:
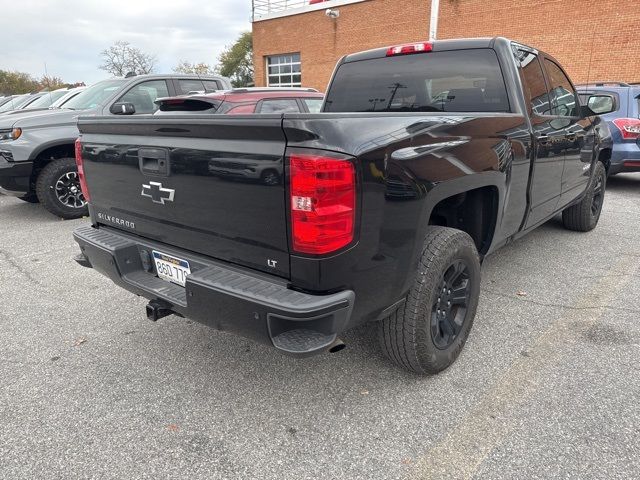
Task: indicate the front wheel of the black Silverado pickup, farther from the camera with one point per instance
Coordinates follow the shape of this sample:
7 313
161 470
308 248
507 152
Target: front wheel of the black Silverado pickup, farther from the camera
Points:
584 216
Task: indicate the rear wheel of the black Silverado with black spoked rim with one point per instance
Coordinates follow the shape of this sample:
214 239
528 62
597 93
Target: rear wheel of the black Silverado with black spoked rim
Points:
416 337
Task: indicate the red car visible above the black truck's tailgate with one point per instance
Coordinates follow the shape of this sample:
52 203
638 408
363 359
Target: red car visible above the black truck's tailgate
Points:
244 101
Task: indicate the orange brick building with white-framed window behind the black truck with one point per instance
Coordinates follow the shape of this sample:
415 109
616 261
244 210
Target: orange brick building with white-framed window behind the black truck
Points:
296 43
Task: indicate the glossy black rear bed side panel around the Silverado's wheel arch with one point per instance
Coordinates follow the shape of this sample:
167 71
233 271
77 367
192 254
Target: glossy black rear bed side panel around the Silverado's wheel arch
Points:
409 163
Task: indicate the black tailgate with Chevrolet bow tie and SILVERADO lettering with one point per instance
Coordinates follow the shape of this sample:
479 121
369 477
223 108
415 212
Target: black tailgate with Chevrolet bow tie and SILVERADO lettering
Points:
213 185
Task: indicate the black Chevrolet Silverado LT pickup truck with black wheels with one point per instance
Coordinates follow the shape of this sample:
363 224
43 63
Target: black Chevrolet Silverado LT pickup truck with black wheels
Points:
423 161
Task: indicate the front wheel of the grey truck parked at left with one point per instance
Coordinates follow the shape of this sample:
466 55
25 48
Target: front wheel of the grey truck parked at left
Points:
58 189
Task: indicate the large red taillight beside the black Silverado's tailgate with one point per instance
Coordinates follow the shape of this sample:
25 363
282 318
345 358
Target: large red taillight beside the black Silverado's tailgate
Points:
323 203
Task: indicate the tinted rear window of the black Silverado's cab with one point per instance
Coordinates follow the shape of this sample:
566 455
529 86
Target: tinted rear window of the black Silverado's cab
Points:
449 81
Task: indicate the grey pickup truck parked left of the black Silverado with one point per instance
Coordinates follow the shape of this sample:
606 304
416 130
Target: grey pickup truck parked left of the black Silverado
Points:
37 147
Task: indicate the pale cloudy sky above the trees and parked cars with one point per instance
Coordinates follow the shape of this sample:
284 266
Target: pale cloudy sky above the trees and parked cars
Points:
68 35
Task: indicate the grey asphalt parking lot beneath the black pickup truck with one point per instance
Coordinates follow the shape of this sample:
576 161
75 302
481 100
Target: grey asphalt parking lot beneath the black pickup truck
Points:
547 386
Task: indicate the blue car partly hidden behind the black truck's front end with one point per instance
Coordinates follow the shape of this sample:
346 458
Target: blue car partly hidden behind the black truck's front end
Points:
624 120
